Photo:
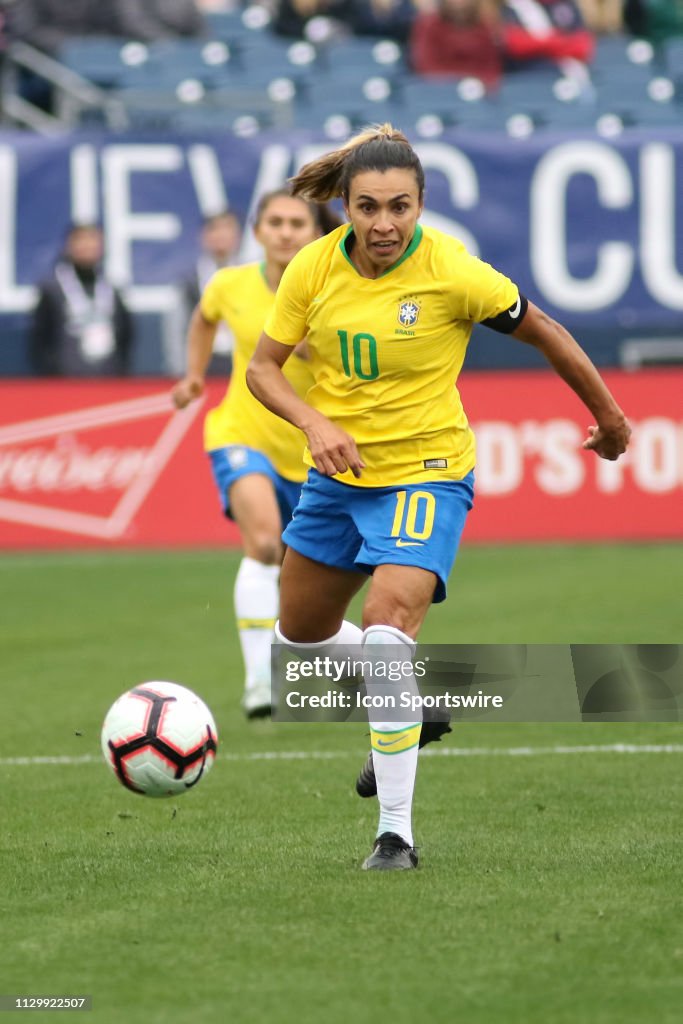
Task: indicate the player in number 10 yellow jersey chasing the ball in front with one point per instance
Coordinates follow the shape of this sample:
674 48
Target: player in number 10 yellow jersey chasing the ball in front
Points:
388 309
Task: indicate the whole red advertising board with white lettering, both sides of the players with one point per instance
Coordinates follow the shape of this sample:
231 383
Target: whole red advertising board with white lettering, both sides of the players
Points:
107 464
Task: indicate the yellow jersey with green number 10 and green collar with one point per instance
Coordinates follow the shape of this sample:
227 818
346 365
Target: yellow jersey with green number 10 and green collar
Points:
387 353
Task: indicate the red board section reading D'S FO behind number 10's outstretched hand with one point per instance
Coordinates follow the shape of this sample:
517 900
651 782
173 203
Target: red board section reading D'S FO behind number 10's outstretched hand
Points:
534 482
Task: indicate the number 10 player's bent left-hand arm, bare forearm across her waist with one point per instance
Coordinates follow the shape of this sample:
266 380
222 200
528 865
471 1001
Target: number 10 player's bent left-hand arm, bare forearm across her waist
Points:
332 450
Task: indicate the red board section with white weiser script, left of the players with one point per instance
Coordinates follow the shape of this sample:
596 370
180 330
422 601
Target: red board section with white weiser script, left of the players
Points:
104 464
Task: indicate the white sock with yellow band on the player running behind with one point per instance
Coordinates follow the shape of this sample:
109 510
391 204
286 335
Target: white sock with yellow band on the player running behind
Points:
257 606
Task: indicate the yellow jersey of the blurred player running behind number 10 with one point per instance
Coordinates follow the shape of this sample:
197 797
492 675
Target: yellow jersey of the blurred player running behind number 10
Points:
241 297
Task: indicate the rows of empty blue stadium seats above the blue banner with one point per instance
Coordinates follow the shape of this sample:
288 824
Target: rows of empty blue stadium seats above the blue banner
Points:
245 72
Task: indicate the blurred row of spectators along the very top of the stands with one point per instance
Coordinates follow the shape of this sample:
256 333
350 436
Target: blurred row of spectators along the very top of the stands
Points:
444 36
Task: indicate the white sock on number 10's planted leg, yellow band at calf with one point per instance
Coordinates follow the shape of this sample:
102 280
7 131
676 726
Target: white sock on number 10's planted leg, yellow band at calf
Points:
395 744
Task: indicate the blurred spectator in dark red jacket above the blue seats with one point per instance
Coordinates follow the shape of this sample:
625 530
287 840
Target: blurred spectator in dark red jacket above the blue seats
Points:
460 38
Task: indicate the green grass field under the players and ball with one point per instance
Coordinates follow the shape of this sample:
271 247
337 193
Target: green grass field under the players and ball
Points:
549 888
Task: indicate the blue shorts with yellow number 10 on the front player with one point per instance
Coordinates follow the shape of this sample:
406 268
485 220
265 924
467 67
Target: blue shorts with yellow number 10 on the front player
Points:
363 528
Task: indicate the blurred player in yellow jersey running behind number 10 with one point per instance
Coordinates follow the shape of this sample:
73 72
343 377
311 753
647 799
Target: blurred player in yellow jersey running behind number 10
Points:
257 458
